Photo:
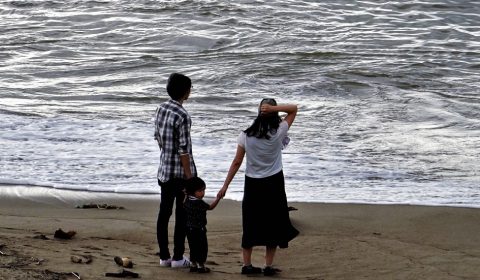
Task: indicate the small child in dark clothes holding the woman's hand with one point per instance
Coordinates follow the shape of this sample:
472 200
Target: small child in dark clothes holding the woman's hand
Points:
196 210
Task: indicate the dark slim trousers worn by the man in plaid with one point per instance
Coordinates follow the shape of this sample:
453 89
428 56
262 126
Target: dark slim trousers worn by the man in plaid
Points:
171 190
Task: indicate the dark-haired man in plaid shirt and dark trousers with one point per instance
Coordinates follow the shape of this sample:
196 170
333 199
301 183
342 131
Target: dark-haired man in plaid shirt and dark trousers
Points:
172 132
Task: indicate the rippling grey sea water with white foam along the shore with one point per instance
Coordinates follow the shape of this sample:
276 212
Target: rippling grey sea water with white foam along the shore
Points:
388 93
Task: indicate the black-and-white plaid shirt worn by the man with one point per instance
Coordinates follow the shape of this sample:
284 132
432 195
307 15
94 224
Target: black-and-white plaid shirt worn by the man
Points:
172 132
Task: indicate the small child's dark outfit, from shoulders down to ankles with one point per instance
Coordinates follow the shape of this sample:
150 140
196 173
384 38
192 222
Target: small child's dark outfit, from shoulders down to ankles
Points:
196 210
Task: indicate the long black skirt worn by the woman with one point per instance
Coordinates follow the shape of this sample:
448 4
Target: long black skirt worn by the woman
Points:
265 216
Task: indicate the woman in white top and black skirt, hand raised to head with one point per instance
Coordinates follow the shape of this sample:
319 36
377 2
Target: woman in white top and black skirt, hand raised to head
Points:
265 217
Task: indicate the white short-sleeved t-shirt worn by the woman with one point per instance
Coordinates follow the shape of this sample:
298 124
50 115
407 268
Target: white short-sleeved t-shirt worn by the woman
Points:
264 157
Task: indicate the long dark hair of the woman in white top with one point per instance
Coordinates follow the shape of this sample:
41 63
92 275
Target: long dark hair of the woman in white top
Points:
264 123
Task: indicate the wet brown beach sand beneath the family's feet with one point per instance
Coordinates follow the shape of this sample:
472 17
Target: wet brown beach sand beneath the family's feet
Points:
337 241
